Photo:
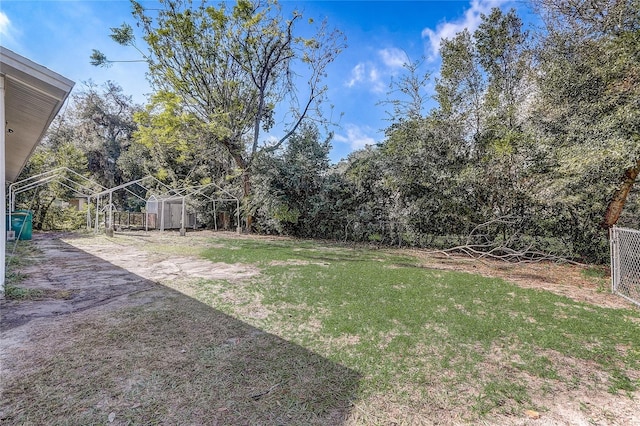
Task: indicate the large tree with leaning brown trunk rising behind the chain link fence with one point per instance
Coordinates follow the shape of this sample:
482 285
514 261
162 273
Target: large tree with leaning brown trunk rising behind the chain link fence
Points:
590 84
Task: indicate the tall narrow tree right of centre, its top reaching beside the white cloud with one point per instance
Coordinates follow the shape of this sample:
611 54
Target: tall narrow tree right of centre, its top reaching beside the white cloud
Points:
504 148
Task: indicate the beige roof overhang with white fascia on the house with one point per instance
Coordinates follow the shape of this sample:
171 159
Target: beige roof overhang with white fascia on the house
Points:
33 97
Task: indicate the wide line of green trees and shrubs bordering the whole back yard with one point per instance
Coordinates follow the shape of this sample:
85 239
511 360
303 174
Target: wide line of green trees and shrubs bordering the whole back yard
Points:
531 151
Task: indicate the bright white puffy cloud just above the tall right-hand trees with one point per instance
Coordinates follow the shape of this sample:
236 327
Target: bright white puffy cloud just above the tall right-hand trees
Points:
470 20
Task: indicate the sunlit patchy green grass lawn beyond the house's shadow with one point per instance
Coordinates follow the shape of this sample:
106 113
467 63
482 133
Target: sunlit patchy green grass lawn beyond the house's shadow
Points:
415 335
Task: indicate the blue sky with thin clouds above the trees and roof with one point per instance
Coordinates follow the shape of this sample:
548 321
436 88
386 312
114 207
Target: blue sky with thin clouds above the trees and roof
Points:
381 35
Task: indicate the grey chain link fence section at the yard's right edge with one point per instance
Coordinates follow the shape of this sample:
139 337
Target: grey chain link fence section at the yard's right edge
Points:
625 263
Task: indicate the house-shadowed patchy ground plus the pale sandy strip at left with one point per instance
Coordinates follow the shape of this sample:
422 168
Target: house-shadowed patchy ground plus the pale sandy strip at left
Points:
147 354
